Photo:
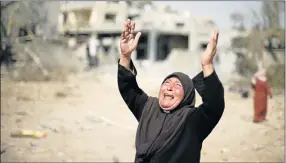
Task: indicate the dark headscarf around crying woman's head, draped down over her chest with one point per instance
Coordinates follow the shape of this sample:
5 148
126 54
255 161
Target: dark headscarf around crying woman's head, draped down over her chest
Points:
157 128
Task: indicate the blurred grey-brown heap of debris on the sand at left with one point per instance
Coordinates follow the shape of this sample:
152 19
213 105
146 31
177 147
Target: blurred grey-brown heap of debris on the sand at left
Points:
40 60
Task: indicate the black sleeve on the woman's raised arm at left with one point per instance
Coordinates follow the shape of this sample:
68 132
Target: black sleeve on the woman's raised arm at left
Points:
132 95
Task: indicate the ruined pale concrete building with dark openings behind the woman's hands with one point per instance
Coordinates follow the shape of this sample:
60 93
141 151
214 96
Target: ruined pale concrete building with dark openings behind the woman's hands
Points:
163 29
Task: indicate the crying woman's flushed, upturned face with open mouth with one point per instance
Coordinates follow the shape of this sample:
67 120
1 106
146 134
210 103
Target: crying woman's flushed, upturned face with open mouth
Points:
171 94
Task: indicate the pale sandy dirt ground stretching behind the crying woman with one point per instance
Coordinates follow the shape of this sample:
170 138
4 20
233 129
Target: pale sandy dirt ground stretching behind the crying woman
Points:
87 120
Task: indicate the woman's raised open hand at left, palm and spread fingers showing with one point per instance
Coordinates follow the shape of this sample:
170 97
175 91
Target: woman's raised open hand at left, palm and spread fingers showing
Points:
127 42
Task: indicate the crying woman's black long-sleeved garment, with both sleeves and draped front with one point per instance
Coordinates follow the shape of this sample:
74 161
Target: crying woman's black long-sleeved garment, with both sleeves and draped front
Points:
174 137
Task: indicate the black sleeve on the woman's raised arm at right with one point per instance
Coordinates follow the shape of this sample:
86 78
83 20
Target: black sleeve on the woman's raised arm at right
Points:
210 111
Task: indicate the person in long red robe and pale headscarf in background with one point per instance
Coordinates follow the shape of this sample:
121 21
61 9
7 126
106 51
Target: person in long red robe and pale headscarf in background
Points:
262 90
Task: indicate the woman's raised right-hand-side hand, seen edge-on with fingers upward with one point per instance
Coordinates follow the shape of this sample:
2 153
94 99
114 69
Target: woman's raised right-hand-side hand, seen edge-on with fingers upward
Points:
208 55
